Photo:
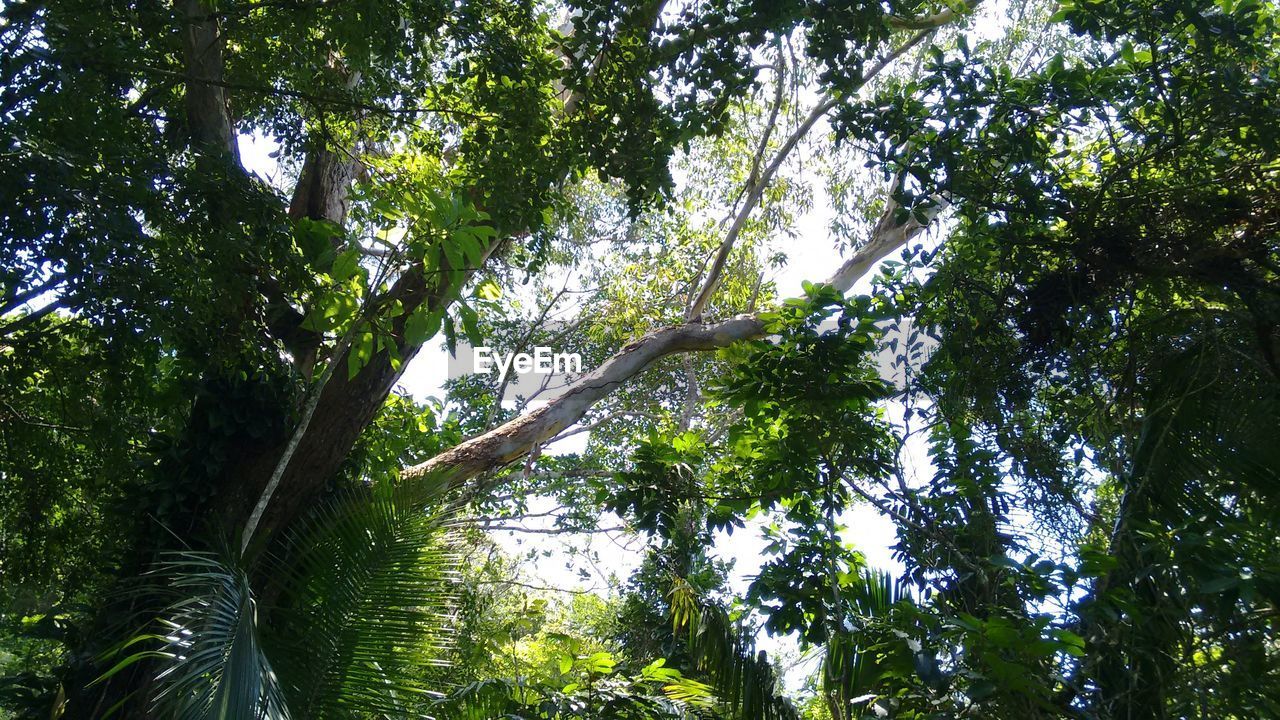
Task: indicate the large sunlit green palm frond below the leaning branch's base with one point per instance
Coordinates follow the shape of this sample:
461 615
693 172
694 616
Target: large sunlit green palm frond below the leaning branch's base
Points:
372 586
